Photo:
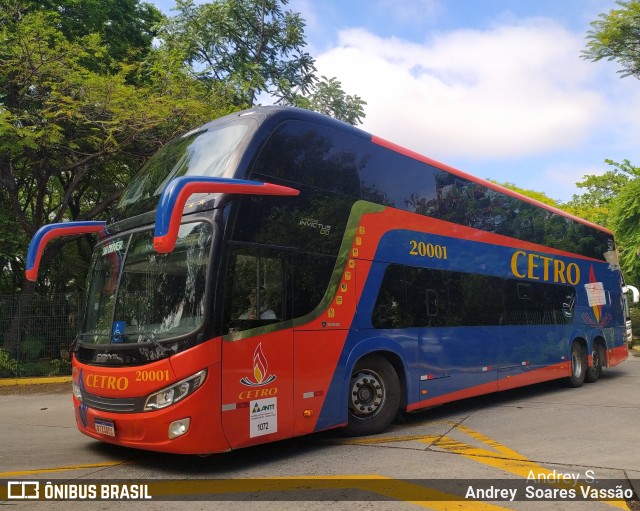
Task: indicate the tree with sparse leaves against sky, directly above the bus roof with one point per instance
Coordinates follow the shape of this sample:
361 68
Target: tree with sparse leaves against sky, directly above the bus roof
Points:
256 48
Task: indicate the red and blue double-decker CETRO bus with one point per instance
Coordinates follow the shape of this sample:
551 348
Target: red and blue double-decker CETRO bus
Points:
276 273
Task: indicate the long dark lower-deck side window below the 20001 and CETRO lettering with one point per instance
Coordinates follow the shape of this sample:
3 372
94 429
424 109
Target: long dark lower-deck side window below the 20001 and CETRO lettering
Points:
422 297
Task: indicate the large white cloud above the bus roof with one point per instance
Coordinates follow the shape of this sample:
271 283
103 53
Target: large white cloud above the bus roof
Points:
506 92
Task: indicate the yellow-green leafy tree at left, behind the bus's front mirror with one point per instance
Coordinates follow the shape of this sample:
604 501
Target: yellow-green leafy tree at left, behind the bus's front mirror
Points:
74 128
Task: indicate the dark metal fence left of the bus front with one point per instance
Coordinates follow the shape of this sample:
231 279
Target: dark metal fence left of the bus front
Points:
36 334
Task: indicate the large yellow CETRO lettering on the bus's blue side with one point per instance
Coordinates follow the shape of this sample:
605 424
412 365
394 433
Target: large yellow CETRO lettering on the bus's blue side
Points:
526 265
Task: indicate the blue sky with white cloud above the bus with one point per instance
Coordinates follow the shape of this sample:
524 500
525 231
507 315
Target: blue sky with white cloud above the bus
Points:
496 88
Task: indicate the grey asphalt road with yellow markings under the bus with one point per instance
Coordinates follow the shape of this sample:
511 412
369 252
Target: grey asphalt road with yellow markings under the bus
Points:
441 458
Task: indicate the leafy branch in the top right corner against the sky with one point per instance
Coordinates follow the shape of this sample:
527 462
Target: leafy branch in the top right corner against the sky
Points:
616 36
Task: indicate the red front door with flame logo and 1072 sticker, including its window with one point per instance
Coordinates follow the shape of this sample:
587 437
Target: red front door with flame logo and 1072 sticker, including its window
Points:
257 353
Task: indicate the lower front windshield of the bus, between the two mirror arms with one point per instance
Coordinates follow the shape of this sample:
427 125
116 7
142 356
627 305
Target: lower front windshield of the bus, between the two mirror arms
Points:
137 295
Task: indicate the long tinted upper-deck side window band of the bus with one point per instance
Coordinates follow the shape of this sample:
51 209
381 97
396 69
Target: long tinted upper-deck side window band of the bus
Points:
337 160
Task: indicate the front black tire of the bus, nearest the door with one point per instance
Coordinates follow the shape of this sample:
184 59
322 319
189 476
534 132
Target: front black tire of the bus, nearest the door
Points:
374 396
